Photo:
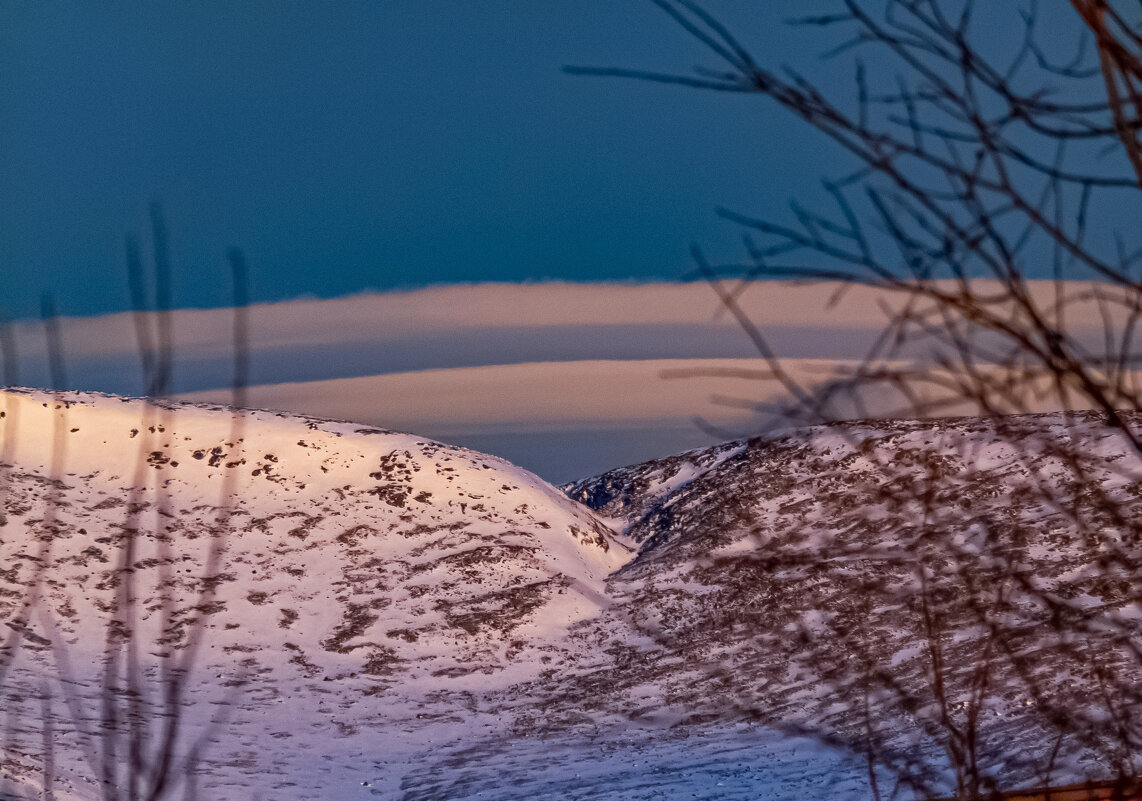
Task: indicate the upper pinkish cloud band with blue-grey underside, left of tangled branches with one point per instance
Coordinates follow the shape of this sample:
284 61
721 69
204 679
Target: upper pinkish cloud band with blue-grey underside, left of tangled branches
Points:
462 326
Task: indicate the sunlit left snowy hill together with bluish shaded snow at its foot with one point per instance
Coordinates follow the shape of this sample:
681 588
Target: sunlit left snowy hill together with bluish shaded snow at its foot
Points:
382 606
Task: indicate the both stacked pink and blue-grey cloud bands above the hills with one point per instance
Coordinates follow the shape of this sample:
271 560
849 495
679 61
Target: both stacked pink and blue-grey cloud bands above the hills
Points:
565 379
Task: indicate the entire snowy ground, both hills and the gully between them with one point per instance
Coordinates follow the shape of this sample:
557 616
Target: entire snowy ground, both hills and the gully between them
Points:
348 612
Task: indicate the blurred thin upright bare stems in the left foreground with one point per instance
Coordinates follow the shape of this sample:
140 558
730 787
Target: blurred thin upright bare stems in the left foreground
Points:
138 744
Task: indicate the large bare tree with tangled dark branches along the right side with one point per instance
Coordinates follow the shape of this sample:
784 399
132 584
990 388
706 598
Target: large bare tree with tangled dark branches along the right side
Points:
982 159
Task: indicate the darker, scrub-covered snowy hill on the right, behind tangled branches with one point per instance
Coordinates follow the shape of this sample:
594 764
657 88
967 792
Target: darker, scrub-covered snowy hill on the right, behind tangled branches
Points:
794 580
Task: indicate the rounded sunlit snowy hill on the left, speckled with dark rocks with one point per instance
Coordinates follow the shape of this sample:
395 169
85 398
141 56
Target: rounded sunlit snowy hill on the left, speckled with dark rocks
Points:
361 574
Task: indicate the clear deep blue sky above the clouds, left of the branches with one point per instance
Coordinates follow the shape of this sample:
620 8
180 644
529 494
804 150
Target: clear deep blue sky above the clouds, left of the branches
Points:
359 146
